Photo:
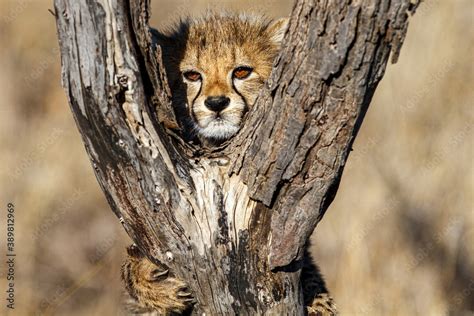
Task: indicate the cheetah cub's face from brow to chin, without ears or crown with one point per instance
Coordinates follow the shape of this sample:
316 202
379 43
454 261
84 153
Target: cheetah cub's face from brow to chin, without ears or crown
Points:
221 87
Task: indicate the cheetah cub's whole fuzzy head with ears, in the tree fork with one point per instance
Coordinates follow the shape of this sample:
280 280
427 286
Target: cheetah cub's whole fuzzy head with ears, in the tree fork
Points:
216 66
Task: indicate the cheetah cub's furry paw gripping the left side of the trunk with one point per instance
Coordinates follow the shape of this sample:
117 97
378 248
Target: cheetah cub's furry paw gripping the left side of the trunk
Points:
152 288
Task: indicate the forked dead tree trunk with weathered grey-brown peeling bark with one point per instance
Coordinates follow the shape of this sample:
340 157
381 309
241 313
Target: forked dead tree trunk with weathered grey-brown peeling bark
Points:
232 222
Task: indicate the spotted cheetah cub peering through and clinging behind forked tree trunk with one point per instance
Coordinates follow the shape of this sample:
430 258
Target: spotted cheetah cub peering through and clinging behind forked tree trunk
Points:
216 66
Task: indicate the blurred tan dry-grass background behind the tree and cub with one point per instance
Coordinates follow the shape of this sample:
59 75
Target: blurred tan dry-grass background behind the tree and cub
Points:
397 240
